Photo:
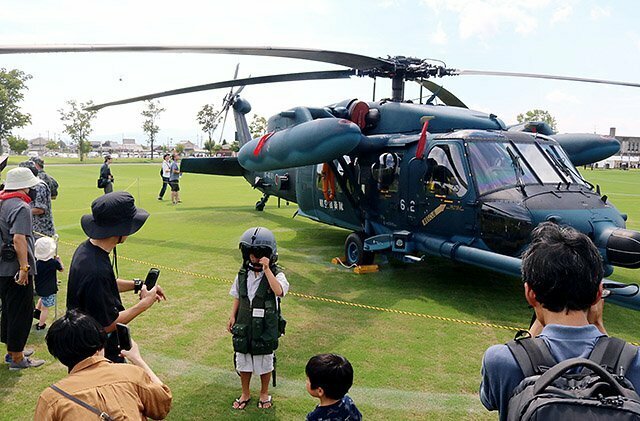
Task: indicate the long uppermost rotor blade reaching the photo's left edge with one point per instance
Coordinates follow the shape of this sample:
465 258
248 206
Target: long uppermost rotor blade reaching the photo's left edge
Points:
354 61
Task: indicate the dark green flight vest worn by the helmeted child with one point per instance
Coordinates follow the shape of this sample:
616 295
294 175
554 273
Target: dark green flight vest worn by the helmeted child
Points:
259 323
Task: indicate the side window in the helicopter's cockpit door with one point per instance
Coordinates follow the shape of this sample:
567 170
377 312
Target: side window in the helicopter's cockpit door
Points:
445 172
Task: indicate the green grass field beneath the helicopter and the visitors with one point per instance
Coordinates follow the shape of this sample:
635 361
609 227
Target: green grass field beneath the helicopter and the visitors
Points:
407 365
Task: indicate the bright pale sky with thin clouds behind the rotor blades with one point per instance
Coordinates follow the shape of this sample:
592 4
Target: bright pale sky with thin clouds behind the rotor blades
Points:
583 38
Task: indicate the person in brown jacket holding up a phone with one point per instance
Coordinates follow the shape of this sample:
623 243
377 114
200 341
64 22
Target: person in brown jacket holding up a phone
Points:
121 391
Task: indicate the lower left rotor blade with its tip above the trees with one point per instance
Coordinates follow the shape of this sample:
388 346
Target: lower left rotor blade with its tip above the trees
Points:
287 77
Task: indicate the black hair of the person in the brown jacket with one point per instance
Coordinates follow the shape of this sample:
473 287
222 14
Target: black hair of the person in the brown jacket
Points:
74 337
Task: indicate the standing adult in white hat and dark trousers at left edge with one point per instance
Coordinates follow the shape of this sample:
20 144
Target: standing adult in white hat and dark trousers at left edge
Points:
17 266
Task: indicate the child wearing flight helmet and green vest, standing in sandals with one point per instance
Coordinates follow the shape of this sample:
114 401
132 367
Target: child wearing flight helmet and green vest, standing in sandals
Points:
255 314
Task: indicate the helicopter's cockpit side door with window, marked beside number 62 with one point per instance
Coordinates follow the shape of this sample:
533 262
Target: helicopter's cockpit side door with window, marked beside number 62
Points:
437 189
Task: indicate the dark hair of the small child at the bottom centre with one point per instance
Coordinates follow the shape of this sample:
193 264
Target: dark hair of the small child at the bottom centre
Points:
332 372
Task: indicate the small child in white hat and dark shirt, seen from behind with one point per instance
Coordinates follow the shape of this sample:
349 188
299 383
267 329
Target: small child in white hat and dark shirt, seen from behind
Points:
46 281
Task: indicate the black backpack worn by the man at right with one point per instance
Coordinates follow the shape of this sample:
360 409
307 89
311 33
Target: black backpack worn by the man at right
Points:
557 391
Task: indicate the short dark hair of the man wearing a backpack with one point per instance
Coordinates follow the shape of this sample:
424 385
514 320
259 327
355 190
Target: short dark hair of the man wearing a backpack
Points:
563 268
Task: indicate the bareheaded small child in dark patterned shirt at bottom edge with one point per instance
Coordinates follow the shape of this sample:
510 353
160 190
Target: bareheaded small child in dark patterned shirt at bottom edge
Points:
329 377
